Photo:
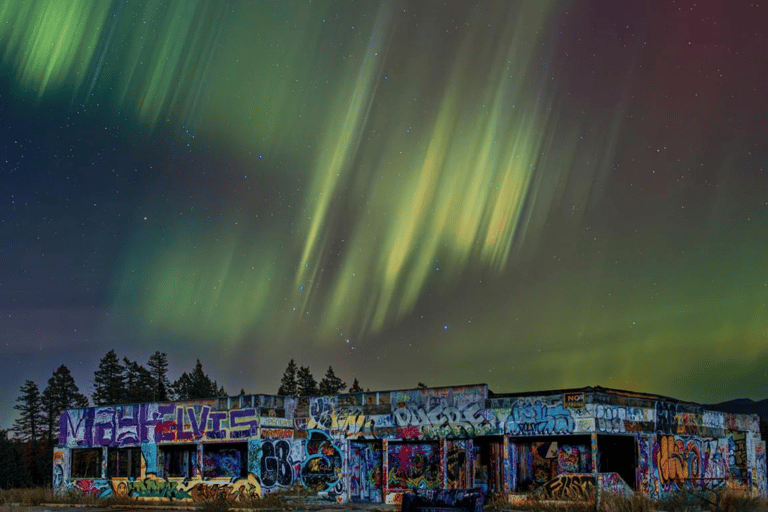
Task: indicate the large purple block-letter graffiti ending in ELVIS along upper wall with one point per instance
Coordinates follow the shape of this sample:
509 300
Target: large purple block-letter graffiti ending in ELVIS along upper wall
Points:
134 424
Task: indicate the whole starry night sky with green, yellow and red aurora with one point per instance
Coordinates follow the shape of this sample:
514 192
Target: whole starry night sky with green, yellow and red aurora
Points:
534 195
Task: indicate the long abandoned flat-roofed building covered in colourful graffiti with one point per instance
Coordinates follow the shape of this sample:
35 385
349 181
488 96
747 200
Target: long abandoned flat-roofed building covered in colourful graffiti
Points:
375 446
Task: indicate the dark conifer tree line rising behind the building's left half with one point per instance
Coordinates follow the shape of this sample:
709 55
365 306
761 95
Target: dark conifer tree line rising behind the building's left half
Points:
26 450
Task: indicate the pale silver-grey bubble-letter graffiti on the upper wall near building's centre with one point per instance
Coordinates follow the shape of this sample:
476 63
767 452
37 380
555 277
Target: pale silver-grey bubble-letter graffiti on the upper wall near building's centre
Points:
448 421
